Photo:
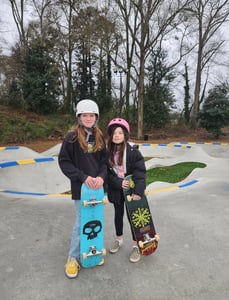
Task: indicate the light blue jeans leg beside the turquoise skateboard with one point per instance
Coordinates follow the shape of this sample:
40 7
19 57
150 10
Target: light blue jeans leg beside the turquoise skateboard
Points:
75 239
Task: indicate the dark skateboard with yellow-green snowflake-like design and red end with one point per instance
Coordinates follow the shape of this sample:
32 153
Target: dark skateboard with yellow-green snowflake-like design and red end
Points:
141 221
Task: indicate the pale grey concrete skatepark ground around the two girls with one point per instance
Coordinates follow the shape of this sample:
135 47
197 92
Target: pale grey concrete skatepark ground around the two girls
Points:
191 261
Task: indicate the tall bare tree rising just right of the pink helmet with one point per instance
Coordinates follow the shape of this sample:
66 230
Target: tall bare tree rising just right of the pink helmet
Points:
145 22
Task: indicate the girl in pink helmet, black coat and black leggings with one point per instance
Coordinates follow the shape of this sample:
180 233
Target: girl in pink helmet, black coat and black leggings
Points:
123 160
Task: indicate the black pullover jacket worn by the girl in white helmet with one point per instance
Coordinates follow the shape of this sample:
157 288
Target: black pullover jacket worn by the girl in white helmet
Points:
77 165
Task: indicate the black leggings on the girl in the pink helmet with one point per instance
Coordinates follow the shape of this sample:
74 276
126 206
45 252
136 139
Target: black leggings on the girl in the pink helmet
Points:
118 218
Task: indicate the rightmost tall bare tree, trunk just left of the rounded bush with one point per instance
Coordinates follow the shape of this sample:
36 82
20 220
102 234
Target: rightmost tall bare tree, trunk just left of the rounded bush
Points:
209 15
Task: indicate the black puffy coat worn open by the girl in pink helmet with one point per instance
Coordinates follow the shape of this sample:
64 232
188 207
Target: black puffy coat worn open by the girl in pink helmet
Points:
135 165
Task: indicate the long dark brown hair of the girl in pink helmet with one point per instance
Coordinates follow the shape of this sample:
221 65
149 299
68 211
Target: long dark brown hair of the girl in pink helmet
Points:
112 147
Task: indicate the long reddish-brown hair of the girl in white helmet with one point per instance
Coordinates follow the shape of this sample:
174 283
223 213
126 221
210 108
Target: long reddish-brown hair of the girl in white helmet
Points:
80 136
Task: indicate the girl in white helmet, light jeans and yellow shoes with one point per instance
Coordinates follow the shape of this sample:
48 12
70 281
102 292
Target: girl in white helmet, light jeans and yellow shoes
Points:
82 158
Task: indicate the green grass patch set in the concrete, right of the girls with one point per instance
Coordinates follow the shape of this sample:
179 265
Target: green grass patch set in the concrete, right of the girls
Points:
172 174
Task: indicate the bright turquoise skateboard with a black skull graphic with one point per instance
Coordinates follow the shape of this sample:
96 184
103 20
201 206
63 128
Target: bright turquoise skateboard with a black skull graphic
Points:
91 226
